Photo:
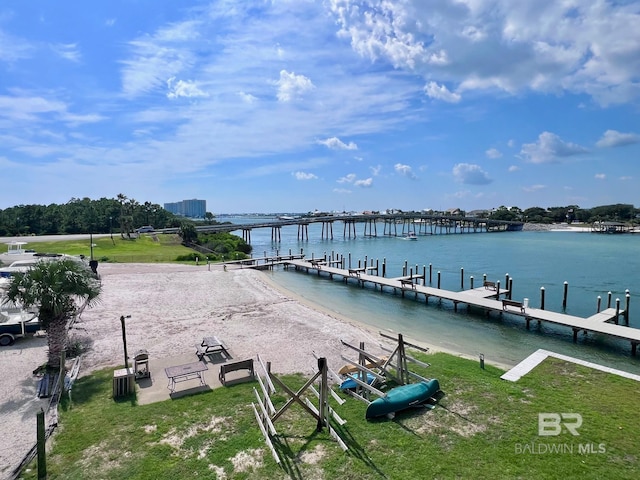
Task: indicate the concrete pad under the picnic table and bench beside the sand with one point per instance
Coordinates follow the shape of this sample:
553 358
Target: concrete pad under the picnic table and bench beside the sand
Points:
155 388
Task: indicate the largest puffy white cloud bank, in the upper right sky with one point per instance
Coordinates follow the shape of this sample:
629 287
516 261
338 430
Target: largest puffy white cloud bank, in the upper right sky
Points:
579 47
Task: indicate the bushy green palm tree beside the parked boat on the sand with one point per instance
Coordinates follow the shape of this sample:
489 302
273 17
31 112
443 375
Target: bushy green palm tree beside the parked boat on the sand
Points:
58 289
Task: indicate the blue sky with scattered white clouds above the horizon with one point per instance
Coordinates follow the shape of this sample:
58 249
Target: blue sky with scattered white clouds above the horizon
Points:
292 106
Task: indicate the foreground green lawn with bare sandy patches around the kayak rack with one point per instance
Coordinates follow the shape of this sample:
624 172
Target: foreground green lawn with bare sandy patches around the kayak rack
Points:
474 432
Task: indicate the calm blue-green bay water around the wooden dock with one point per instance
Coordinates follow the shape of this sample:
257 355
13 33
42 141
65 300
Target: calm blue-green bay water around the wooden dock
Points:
591 264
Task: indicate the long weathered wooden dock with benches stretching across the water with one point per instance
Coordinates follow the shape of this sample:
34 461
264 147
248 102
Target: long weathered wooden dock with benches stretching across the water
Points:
483 298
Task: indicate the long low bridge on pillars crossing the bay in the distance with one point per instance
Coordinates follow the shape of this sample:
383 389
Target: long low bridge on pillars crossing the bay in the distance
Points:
371 224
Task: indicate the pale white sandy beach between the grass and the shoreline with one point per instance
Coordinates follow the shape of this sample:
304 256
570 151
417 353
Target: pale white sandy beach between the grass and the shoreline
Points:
172 307
